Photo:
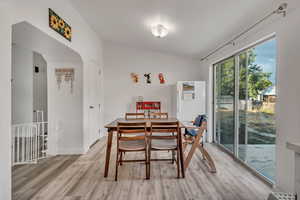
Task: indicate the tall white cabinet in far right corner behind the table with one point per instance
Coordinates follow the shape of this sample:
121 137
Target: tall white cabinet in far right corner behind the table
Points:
190 99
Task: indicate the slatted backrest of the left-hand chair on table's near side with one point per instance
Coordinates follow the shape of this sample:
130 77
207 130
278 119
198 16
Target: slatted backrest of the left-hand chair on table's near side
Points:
128 131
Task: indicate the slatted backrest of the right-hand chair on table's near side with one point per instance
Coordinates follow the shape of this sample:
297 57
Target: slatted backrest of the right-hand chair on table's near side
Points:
164 129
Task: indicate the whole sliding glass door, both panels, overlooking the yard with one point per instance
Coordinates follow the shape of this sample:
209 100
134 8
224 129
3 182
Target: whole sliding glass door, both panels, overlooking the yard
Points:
245 98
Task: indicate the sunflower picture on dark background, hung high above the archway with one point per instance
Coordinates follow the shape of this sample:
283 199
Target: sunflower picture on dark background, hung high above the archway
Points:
59 25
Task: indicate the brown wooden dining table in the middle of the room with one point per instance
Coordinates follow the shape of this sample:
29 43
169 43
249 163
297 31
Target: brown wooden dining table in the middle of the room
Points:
112 128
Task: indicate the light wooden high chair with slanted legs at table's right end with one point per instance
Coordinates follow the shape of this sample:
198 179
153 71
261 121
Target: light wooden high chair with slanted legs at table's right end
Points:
196 141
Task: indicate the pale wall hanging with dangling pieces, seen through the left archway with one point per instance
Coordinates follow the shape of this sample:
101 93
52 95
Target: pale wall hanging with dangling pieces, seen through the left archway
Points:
66 74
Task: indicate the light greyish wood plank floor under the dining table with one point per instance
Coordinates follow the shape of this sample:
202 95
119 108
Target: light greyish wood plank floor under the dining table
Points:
81 178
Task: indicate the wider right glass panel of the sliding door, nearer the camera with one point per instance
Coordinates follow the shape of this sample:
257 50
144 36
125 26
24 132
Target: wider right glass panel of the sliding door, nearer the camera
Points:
257 131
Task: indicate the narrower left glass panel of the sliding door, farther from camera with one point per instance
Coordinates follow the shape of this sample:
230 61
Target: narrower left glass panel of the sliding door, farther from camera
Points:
224 98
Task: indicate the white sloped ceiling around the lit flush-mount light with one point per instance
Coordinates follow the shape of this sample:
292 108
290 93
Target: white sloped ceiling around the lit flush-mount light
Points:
195 26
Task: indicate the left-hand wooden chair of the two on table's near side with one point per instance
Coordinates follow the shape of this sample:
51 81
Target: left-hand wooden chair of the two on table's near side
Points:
131 137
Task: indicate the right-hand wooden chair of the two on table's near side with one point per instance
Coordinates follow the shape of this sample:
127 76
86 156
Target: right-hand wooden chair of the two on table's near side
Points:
164 136
